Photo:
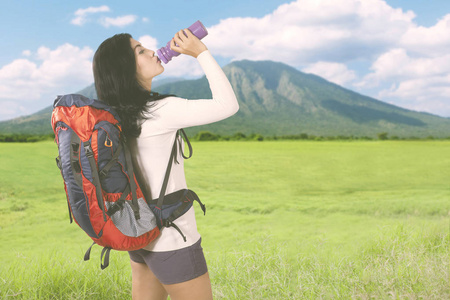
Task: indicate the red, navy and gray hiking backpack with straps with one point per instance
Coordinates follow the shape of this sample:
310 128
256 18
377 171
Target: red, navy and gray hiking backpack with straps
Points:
103 195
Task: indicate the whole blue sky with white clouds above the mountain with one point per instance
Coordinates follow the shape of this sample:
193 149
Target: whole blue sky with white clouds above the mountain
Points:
397 51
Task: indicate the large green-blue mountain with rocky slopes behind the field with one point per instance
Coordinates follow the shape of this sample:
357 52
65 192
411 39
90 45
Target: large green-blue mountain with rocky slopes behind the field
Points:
276 99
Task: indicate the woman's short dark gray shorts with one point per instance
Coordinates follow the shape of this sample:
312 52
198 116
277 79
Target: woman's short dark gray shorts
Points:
175 266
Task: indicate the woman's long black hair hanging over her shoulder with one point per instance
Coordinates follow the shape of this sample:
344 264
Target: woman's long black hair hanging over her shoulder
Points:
114 67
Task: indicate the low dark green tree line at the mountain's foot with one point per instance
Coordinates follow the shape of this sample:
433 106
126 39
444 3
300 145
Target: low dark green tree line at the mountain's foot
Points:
239 136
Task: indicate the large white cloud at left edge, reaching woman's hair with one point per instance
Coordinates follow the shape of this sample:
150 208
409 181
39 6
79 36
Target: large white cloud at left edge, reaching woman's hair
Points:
62 70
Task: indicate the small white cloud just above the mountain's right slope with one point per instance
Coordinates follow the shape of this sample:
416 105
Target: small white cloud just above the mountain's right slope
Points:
334 72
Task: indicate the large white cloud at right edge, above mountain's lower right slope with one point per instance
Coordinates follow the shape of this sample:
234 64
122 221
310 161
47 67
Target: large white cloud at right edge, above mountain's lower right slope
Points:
417 70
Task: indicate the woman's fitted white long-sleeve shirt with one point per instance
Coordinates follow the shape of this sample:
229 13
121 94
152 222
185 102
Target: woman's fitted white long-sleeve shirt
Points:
153 147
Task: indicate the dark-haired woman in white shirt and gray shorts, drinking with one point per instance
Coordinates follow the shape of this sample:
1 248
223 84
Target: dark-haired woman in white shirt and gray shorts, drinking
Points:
123 73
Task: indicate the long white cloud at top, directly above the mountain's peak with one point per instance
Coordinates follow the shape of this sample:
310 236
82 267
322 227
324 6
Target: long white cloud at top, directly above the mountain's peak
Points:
307 31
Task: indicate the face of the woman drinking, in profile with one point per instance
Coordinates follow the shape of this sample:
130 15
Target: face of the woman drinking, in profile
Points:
148 65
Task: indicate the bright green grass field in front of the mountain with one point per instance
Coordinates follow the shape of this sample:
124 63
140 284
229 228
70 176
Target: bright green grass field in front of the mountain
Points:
285 220
